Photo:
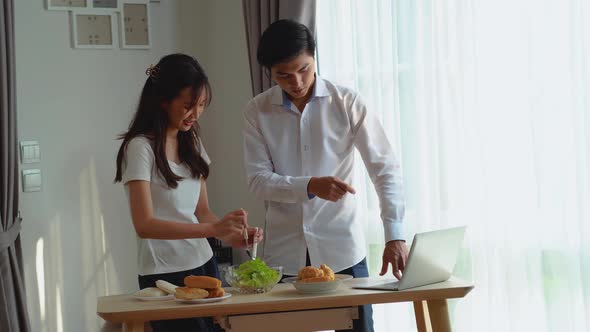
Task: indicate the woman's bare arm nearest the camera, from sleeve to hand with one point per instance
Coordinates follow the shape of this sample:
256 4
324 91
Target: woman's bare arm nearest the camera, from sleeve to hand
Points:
148 227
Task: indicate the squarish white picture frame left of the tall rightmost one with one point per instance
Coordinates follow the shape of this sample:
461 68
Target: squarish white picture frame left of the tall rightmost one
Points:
93 28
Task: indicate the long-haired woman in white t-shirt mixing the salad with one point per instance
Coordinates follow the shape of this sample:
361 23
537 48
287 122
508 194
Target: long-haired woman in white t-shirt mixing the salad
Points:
163 166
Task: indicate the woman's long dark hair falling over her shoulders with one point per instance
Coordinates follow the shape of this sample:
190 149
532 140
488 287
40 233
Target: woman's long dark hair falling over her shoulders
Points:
166 80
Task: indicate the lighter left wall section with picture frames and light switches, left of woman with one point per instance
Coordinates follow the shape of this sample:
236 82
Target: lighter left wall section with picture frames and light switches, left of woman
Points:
78 242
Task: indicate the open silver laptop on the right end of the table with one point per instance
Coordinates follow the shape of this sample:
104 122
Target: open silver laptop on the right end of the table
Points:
432 259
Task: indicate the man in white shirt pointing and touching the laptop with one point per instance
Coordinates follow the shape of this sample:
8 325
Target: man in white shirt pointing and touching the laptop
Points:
299 141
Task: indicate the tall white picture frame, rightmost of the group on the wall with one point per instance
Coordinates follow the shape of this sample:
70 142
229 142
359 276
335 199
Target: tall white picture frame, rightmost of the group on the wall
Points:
135 22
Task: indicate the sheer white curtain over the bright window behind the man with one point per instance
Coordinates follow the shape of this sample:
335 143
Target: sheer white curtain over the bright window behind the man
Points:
488 105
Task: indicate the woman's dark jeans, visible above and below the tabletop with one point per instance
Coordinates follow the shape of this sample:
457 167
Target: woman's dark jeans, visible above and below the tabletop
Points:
177 278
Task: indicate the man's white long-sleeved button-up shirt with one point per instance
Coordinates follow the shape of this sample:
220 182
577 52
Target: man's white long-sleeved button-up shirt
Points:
284 148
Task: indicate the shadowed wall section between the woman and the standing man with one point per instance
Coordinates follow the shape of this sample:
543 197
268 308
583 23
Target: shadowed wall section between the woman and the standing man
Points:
217 39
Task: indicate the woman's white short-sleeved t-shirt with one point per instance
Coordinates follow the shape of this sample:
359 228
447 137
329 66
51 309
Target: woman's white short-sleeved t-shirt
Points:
165 256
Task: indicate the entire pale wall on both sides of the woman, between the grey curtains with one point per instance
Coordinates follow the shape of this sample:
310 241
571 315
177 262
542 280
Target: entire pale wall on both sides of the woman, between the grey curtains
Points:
78 242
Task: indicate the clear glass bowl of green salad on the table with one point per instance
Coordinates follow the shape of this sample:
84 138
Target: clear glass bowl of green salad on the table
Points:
249 285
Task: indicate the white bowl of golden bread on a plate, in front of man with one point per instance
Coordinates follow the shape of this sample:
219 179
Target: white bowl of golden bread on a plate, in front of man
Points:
313 280
